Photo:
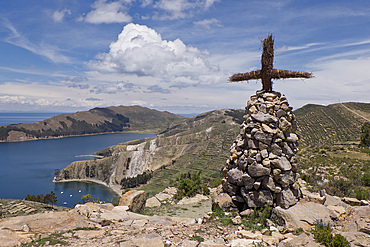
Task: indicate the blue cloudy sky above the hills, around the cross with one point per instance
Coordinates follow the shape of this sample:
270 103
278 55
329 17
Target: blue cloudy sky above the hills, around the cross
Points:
177 55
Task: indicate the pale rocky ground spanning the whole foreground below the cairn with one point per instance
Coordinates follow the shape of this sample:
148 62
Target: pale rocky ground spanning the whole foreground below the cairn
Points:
105 225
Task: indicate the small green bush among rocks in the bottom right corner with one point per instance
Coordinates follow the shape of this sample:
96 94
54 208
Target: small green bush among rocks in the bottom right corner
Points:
323 234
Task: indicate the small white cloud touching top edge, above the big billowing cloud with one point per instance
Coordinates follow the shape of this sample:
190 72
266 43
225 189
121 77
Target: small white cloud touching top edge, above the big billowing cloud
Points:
111 12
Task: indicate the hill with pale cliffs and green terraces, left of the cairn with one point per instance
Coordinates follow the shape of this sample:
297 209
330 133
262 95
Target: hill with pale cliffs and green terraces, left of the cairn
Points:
198 143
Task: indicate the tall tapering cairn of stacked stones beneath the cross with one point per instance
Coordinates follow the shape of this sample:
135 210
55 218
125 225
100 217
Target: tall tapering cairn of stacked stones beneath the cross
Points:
262 167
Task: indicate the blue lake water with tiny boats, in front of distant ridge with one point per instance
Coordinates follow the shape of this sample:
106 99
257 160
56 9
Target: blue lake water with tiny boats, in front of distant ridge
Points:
28 167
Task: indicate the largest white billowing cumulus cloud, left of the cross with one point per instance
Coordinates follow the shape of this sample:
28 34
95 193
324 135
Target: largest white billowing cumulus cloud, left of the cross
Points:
141 51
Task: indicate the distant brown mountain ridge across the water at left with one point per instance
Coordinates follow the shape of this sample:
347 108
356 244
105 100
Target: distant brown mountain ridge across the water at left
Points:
97 120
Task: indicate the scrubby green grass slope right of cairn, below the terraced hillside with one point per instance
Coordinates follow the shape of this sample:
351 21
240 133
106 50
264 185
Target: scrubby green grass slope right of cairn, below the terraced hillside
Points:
342 170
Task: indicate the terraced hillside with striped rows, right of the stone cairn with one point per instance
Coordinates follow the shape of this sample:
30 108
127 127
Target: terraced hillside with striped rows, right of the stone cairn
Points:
322 125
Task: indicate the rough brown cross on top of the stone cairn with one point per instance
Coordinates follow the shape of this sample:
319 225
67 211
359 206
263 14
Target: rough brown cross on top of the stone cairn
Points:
266 73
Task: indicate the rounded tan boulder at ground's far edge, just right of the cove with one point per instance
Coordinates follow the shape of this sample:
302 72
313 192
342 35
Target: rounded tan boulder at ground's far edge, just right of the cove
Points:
134 199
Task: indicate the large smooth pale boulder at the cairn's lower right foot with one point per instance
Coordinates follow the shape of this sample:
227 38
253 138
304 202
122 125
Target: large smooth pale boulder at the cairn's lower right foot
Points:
301 215
